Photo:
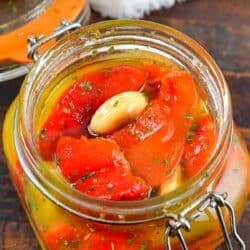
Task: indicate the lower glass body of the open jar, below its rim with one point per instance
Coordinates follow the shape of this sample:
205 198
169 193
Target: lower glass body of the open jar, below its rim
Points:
57 228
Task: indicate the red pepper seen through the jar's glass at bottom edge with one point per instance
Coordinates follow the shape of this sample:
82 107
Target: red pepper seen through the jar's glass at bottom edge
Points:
81 237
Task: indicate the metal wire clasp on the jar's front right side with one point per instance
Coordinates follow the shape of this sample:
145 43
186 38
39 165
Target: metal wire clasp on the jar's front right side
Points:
209 200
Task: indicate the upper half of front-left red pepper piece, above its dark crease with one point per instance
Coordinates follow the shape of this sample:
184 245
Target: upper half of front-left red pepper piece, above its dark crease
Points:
77 158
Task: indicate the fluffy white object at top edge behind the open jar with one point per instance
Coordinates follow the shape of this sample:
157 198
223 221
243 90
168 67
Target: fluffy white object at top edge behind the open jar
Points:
129 8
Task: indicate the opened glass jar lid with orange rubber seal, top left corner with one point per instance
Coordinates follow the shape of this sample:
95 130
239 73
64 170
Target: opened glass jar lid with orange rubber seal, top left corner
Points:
21 18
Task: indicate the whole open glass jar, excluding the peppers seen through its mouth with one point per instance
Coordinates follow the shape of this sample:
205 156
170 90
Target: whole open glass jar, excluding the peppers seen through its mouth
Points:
89 223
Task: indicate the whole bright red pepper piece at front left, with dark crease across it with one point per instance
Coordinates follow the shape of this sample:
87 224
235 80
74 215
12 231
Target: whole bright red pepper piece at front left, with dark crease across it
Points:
98 168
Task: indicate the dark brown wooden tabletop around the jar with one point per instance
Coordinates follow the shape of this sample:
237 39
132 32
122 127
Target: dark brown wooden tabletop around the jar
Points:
223 28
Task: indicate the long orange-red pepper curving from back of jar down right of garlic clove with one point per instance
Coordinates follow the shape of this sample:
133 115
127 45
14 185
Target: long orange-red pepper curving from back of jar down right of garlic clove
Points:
153 144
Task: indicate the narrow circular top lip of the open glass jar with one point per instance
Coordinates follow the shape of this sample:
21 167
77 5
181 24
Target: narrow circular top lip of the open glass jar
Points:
79 200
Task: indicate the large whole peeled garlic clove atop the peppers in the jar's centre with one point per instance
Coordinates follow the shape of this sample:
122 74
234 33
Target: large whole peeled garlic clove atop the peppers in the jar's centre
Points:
117 111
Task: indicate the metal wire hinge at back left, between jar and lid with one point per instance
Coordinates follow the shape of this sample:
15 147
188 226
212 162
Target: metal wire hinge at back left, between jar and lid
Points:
35 42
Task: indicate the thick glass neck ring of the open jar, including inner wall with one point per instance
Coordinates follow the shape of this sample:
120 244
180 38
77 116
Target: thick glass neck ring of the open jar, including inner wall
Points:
76 49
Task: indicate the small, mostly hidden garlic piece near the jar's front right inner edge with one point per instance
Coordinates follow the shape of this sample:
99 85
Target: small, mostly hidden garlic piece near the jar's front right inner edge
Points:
172 182
